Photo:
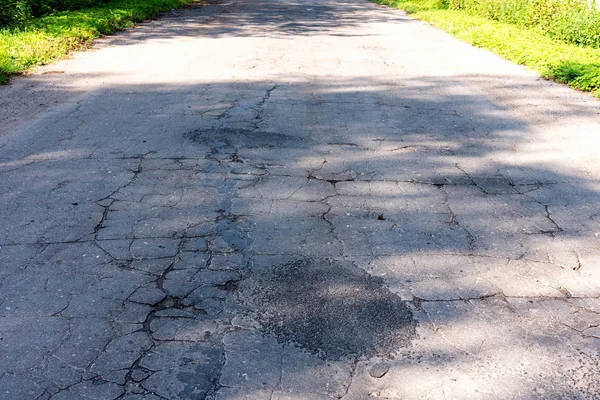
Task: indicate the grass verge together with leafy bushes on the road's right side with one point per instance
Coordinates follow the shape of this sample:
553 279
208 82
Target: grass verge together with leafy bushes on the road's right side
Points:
505 31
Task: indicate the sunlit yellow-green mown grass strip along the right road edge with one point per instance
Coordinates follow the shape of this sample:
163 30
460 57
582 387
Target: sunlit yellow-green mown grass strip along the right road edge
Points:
576 66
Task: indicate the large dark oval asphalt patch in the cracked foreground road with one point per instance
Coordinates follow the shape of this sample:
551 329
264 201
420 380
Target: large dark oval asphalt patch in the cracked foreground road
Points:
330 308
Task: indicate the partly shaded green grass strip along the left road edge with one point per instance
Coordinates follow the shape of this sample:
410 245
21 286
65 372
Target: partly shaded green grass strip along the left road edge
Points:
43 40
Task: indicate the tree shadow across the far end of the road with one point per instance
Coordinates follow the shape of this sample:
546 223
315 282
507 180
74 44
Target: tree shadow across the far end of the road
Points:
286 20
